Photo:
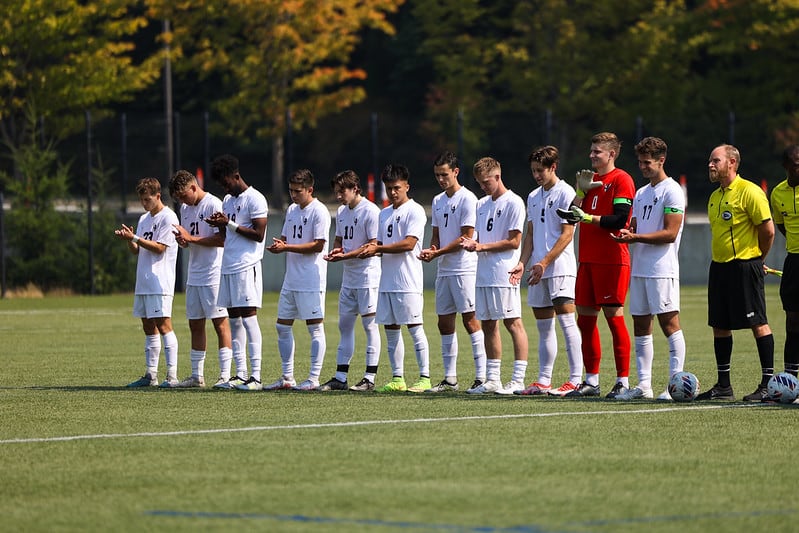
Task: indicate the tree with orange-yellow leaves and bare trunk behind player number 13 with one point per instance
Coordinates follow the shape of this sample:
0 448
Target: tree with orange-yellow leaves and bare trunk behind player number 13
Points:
274 58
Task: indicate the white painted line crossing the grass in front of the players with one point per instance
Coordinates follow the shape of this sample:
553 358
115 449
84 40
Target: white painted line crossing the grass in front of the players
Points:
364 423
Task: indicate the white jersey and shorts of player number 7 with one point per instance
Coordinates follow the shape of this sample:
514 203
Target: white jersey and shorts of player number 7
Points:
449 216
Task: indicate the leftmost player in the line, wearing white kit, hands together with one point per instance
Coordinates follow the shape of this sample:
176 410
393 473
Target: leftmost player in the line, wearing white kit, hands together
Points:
154 244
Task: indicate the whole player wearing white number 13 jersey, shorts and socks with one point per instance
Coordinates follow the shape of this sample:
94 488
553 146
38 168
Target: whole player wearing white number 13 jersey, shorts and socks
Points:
302 297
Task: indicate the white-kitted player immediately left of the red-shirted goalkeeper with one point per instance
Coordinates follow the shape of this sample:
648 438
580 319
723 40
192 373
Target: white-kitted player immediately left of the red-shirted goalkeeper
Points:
548 253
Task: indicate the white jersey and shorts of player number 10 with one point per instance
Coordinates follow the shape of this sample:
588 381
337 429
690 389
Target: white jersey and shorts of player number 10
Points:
356 227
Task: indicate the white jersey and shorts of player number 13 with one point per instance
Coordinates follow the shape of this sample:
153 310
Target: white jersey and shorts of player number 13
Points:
306 272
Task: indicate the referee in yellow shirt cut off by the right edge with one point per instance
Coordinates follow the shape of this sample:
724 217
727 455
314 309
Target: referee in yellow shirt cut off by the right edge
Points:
785 209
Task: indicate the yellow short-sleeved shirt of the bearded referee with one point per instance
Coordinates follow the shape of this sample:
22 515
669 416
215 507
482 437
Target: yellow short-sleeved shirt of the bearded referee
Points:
734 214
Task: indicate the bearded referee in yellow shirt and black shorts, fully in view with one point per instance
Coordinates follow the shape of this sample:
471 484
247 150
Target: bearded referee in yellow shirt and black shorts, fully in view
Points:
742 234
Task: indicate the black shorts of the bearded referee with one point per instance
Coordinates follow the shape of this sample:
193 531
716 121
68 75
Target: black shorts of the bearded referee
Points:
735 295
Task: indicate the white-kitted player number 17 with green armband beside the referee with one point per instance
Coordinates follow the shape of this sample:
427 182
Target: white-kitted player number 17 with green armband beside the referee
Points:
656 228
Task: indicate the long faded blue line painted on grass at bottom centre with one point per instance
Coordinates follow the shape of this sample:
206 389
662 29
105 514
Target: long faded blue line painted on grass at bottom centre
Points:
351 522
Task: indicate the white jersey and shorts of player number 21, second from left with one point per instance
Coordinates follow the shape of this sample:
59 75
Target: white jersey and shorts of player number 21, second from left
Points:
204 261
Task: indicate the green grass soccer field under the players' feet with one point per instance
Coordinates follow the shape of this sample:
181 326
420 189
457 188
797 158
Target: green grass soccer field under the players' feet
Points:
80 452
